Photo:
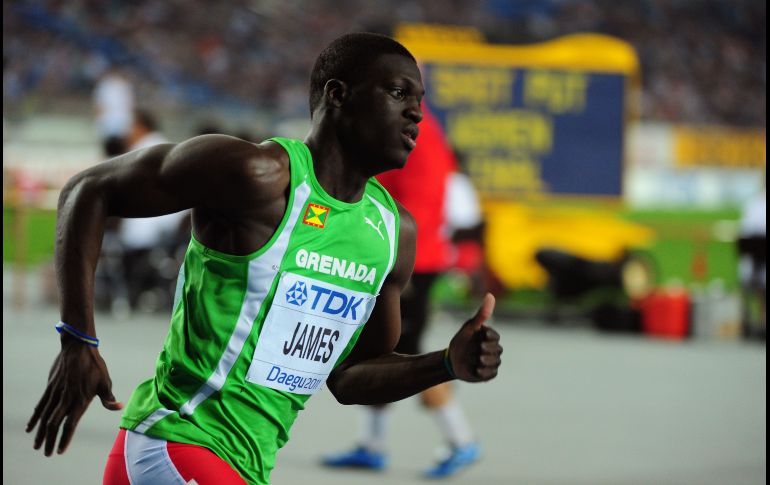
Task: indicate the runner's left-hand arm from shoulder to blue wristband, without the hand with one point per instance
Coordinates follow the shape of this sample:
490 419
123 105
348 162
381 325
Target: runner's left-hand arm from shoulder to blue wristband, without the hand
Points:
212 172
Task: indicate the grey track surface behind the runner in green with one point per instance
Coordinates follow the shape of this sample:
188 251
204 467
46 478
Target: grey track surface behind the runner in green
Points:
570 406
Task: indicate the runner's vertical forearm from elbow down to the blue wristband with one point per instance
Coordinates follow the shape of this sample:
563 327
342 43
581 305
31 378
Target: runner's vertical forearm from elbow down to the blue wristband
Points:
80 224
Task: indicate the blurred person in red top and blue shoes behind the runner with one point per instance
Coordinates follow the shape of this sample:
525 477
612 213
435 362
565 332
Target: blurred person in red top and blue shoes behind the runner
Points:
422 187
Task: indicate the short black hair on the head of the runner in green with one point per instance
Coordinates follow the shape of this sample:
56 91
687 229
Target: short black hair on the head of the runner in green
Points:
347 58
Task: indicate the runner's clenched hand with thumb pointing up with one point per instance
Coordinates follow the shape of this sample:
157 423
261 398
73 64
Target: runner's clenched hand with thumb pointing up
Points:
474 351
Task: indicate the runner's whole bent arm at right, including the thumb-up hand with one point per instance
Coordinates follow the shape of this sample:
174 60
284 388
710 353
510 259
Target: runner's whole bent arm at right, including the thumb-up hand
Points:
374 374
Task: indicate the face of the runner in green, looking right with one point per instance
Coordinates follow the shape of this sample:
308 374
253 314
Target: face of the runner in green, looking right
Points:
382 112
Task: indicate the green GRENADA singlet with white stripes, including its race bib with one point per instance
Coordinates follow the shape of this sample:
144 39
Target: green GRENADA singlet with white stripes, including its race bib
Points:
253 337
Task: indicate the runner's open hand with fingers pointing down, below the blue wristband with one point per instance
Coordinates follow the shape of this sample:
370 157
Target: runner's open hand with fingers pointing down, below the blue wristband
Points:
77 375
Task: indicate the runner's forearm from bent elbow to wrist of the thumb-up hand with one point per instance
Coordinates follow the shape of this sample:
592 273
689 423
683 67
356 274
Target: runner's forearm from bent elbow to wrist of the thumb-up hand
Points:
388 378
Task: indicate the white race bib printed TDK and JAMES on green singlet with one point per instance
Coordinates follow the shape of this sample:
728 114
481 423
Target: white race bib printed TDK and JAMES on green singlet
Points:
308 326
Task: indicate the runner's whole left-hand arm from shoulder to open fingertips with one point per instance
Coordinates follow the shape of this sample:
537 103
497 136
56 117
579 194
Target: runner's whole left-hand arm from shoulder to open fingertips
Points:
210 173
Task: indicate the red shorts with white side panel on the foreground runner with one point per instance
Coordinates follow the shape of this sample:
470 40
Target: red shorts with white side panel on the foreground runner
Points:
137 459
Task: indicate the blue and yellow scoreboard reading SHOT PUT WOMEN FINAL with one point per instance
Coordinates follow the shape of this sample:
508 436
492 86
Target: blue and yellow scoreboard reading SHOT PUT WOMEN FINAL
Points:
535 119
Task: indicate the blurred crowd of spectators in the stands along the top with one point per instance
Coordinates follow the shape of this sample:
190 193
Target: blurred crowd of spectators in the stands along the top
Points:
704 61
